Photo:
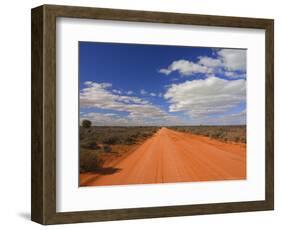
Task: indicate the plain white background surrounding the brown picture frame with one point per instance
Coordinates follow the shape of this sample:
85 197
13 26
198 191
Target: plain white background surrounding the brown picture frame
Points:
15 113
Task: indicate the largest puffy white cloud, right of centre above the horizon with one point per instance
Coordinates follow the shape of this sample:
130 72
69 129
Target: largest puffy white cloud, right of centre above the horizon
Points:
201 98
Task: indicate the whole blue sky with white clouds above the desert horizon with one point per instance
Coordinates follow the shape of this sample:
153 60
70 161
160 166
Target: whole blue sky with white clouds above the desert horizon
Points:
133 84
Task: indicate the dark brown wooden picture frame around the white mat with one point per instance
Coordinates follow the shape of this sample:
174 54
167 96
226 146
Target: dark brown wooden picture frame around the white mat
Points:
43 189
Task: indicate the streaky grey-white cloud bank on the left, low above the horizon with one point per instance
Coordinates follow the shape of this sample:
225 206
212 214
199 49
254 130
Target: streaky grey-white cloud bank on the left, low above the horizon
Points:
139 111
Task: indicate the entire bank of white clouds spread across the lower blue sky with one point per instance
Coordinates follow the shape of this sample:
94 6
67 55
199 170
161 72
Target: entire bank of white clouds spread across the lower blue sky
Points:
218 98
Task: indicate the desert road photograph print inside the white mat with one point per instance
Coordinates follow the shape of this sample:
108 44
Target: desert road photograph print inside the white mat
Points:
153 114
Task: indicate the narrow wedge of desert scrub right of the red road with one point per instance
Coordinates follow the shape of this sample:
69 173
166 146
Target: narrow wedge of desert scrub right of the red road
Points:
233 133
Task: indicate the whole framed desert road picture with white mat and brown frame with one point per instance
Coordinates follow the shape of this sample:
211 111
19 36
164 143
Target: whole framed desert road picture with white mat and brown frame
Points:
148 114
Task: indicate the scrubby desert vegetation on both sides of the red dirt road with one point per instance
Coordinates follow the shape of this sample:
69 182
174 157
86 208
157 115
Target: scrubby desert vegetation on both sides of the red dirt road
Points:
100 145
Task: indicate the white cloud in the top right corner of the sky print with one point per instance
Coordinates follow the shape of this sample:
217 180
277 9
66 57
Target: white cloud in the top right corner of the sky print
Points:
233 59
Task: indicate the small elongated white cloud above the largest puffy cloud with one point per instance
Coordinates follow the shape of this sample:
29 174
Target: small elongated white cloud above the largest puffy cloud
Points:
185 68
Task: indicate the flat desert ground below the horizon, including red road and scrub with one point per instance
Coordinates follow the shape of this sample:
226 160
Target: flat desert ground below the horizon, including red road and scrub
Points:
150 154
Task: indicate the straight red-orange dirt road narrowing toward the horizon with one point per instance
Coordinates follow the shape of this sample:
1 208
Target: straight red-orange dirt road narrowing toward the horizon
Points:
171 156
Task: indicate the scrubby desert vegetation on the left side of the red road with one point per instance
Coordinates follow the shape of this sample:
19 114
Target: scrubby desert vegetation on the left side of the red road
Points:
102 144
